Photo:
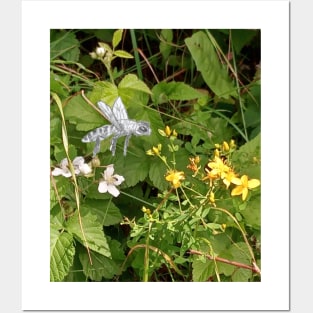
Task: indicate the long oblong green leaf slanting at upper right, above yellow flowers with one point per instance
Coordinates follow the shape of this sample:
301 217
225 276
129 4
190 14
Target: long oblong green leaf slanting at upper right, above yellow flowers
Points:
208 64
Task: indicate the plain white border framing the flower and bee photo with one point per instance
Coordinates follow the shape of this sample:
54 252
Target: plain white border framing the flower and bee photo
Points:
37 19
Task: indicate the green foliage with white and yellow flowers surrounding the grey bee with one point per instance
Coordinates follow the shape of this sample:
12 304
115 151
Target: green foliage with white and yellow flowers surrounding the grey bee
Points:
184 203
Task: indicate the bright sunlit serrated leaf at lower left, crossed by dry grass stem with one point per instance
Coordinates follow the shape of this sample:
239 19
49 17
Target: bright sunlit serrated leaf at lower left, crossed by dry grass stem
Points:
93 233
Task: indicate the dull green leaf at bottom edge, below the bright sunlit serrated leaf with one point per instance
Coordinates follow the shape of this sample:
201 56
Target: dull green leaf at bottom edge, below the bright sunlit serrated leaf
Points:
102 267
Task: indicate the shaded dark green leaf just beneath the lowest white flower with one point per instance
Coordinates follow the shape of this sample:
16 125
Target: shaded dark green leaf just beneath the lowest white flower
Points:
105 210
